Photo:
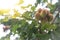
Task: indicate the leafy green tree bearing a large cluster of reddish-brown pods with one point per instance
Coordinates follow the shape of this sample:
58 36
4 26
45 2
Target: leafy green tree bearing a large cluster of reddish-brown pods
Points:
32 25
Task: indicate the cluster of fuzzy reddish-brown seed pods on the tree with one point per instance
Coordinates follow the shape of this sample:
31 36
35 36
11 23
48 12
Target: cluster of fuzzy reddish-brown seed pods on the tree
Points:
43 15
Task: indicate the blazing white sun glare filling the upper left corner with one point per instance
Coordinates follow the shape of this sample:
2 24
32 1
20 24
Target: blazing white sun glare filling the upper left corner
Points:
6 4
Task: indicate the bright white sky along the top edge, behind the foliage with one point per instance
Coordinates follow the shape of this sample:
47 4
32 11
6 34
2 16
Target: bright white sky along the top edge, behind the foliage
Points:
5 4
